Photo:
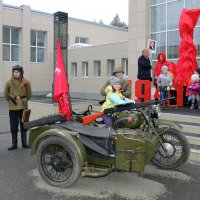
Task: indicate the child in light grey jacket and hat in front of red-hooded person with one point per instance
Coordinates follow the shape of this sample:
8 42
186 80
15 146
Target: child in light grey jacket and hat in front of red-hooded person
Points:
164 81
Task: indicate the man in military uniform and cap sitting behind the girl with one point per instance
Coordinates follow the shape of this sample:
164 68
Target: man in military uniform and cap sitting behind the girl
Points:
126 90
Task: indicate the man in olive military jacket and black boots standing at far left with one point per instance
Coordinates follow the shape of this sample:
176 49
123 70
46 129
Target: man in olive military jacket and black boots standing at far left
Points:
17 93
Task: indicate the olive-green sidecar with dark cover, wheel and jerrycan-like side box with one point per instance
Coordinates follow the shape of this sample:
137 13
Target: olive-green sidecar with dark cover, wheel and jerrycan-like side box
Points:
66 151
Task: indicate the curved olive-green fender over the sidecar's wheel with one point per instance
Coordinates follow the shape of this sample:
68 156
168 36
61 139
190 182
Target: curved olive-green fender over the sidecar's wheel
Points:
69 136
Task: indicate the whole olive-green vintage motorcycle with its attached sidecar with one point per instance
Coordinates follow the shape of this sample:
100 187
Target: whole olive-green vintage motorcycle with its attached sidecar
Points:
66 150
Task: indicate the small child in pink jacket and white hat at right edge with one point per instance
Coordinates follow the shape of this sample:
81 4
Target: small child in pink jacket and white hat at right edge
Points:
194 91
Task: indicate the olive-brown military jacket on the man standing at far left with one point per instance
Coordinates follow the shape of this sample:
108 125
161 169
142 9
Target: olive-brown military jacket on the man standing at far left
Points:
21 90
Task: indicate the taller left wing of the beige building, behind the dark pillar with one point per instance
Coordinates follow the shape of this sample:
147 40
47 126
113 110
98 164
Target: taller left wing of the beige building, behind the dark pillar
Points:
28 40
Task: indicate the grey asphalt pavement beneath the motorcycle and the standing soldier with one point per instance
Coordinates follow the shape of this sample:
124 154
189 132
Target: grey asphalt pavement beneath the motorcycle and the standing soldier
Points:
19 178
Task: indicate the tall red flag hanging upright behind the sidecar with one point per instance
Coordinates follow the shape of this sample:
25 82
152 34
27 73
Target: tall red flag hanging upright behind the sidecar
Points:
61 89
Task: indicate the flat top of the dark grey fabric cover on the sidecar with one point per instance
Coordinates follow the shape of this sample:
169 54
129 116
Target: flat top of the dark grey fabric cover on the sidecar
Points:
86 130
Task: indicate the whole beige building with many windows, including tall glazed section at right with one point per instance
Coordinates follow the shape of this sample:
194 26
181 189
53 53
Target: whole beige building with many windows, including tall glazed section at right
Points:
27 39
